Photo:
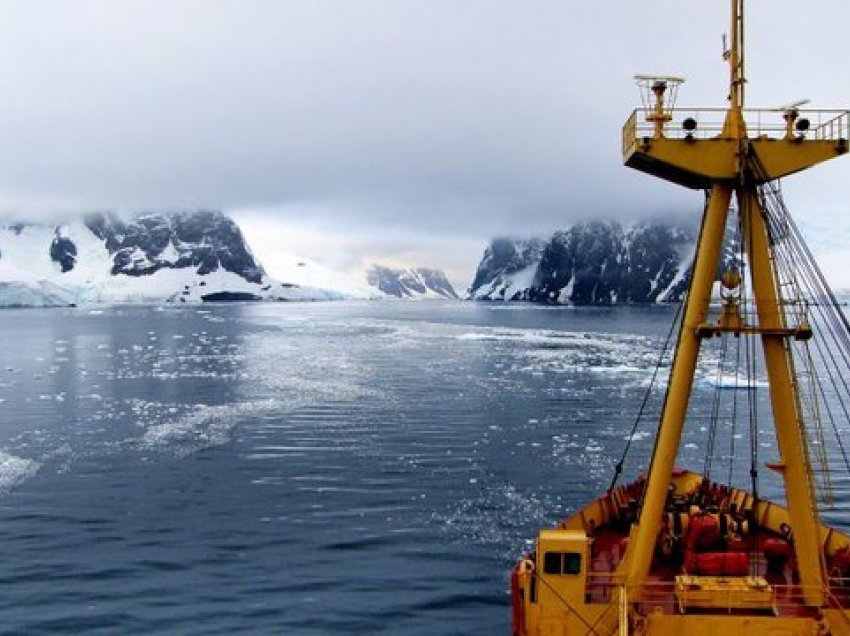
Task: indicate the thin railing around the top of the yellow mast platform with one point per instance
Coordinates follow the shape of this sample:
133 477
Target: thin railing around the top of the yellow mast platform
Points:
824 125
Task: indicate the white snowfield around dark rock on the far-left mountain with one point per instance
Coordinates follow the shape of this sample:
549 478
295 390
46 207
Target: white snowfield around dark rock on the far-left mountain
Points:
30 278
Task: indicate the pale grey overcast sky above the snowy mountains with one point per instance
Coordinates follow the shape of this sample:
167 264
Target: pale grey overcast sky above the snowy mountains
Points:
400 131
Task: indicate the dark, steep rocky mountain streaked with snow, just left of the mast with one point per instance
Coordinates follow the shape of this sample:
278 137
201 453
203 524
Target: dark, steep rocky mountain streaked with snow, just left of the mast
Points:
589 263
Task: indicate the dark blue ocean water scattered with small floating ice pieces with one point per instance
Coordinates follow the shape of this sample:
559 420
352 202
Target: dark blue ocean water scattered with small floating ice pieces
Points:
327 468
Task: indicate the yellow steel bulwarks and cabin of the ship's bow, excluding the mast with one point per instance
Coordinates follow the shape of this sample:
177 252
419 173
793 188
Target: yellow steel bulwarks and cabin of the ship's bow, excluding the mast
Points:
569 612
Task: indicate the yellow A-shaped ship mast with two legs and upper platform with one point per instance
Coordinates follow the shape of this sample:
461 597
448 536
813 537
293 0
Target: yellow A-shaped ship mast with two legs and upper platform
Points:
723 165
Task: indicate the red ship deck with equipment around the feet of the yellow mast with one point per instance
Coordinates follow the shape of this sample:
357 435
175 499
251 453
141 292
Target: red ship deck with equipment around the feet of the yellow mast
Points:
762 556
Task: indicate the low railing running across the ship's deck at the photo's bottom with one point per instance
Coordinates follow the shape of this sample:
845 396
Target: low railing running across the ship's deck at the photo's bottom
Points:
660 597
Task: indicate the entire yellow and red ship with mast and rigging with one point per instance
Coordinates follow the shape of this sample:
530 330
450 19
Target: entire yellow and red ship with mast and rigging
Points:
681 551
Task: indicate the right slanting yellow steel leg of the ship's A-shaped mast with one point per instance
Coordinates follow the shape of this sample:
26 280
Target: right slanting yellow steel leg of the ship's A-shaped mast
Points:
789 429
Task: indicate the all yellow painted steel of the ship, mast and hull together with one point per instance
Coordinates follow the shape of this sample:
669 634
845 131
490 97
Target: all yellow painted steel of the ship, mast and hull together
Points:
724 165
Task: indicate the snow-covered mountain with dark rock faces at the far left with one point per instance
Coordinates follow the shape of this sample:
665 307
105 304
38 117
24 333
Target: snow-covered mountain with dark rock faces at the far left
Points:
179 257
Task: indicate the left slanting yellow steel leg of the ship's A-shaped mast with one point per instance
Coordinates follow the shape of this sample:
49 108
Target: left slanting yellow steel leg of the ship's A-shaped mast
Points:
642 543
